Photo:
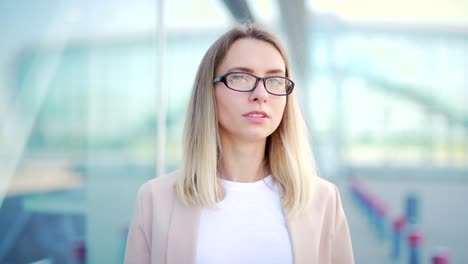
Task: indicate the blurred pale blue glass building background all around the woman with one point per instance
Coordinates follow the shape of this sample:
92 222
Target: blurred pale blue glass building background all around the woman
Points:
93 97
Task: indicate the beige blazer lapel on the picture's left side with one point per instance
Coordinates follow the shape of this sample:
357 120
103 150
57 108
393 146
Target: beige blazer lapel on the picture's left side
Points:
183 233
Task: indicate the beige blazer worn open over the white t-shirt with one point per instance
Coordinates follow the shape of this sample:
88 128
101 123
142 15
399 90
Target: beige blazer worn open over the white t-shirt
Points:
163 230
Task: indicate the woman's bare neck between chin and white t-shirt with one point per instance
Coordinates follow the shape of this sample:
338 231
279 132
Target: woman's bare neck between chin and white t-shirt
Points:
243 161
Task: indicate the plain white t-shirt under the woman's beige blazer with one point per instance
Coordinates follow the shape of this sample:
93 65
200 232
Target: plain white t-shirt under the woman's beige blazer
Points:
248 227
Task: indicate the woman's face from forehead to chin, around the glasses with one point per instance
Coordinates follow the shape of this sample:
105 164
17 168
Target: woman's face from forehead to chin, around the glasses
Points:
250 116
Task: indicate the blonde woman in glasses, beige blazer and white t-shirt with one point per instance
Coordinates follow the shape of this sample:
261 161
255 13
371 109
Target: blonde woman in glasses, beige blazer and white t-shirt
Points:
248 190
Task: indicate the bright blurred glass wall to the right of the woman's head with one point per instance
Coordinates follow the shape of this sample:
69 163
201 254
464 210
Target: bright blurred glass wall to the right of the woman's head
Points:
393 97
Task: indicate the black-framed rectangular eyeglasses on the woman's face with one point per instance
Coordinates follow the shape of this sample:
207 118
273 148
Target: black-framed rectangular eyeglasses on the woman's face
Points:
246 82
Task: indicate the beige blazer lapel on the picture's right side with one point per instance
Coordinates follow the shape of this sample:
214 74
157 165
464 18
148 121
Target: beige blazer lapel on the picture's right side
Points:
302 235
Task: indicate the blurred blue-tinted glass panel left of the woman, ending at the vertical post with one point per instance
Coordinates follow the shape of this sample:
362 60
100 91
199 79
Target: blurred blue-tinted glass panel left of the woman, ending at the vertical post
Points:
78 97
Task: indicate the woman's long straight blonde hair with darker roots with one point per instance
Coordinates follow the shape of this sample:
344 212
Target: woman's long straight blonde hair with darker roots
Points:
288 154
